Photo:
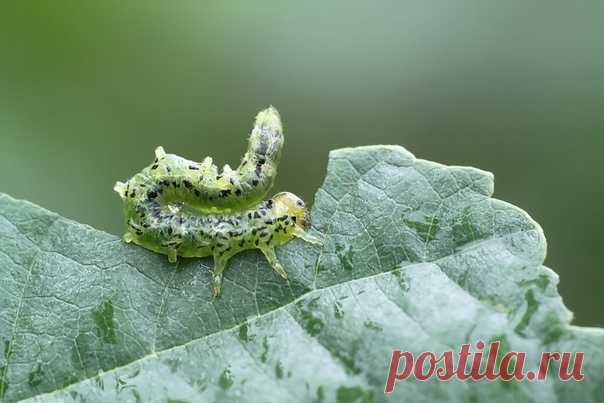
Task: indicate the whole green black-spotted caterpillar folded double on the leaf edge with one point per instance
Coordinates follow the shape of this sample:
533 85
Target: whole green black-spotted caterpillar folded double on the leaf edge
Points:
183 208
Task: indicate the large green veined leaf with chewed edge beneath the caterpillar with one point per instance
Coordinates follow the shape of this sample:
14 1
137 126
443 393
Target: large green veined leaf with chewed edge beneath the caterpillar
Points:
418 257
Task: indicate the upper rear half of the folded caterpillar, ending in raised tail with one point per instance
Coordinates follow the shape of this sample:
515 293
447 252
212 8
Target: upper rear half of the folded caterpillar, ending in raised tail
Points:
200 186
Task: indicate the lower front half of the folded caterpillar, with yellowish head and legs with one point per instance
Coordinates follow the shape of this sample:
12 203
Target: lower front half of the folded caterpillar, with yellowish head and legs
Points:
176 231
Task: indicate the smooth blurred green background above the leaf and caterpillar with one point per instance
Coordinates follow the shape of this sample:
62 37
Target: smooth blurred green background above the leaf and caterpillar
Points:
89 89
